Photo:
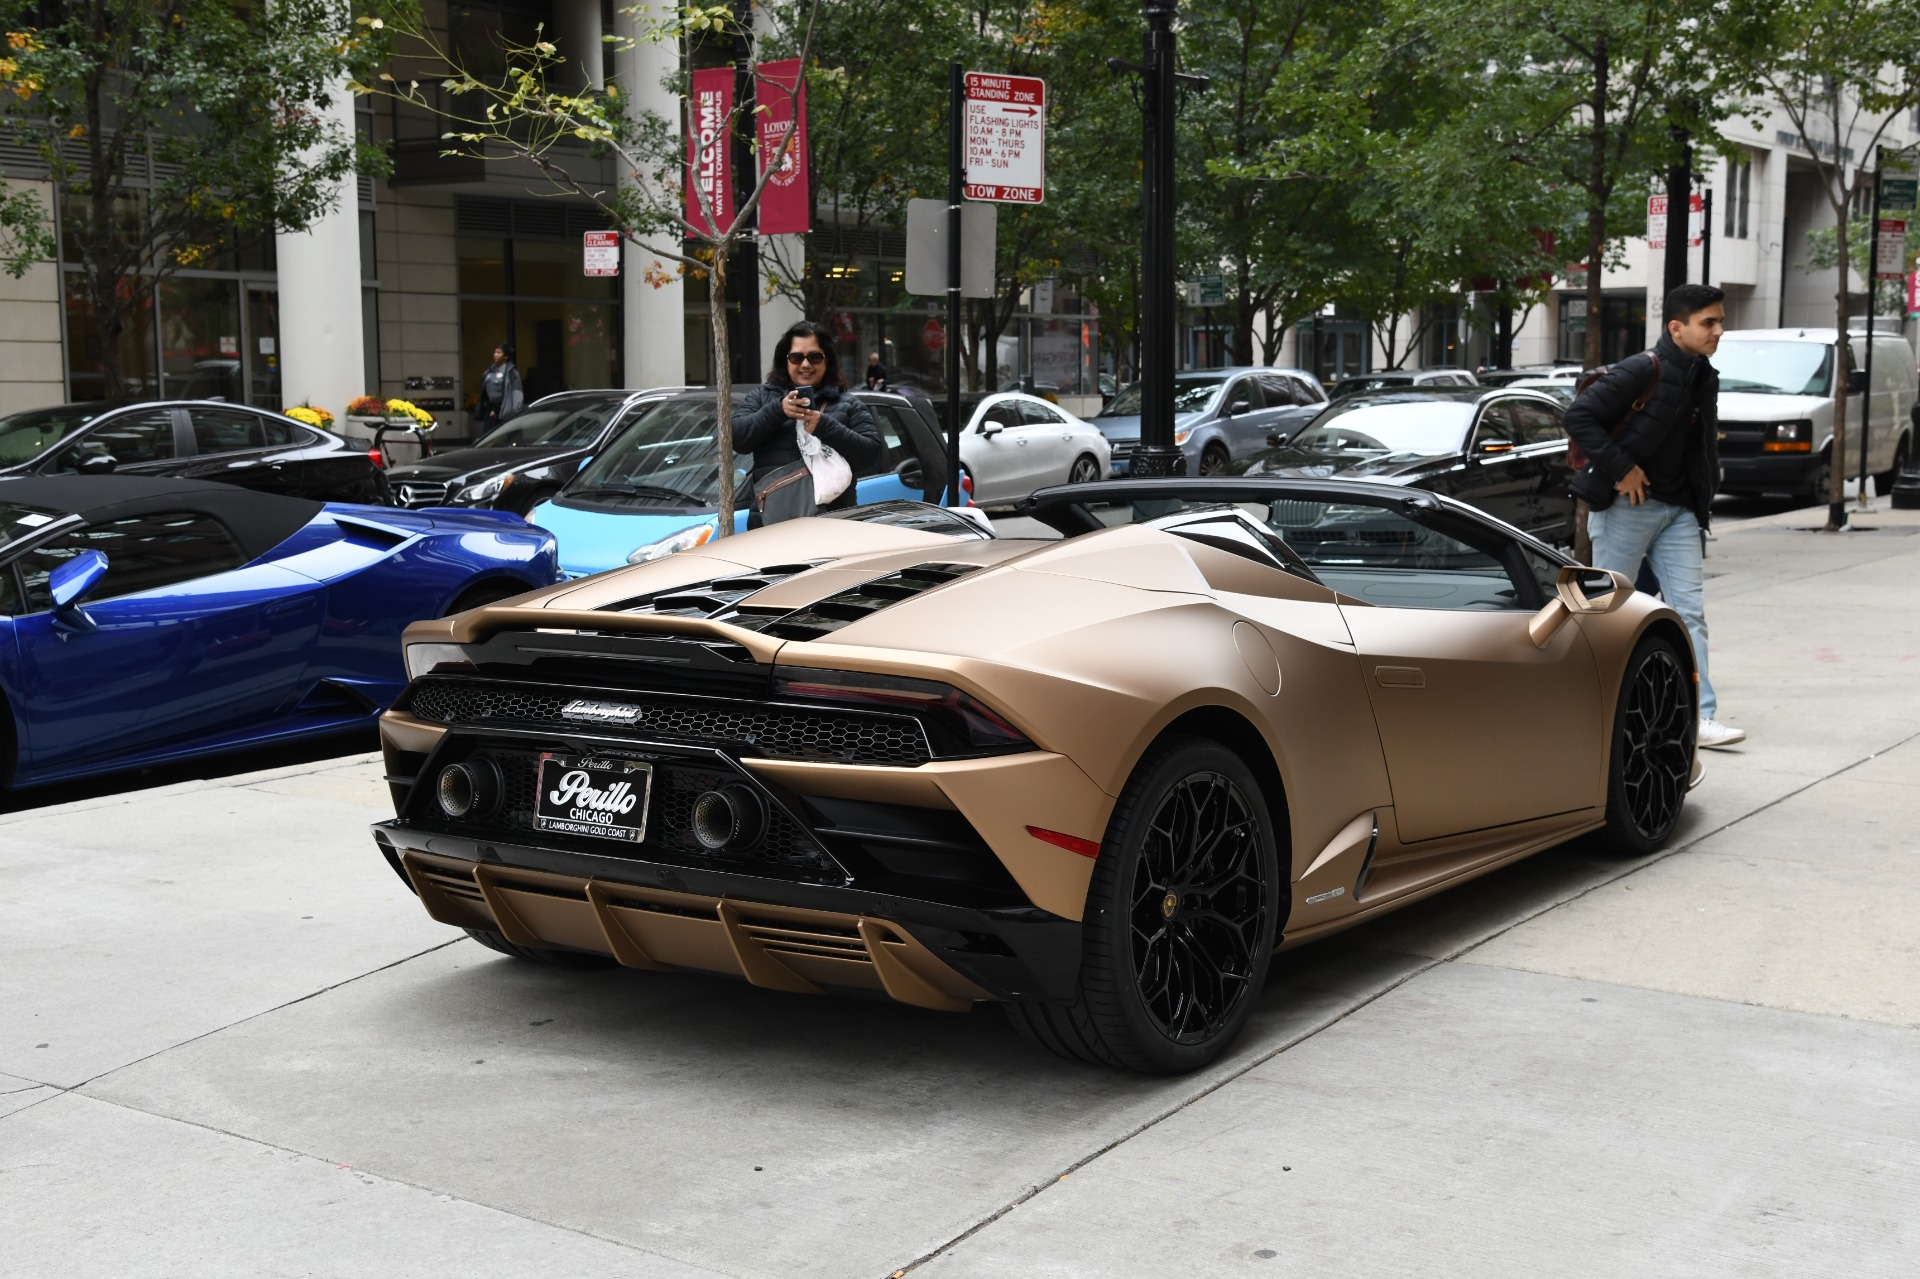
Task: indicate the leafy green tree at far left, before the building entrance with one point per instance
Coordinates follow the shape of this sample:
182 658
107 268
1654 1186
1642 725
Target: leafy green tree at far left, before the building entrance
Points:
172 132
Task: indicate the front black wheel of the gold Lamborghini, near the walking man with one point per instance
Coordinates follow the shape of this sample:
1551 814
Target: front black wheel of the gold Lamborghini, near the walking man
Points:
1654 731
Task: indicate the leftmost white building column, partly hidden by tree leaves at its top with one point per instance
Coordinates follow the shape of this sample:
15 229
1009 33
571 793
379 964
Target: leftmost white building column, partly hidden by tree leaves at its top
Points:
324 350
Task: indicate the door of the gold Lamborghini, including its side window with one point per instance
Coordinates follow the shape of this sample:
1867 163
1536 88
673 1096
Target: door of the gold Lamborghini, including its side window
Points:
1481 727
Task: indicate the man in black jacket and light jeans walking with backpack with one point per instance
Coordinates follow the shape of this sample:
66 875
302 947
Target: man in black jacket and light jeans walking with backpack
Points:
1648 429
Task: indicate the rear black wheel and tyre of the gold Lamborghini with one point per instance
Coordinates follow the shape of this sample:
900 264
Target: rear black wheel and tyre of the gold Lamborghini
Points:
1182 919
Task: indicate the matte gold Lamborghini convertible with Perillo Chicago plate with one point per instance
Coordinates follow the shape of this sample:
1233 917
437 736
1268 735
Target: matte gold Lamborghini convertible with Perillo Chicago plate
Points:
1097 775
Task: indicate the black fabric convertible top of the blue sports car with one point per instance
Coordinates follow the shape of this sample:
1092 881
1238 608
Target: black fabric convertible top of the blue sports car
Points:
258 521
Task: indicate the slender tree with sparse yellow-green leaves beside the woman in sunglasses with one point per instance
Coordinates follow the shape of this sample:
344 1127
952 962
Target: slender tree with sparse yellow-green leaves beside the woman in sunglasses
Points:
533 110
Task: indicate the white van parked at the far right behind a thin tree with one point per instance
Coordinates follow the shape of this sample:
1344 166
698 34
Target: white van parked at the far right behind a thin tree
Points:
1777 410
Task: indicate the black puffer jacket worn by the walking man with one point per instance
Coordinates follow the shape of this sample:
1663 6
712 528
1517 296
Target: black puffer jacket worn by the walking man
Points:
1687 383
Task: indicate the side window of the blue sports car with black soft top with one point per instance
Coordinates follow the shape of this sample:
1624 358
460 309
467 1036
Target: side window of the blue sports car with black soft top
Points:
145 552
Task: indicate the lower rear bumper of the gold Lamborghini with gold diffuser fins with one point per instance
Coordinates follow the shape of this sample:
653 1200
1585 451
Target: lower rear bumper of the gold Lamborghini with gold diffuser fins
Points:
802 938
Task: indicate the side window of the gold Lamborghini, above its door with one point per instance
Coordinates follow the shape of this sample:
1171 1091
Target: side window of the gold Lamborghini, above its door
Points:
1393 560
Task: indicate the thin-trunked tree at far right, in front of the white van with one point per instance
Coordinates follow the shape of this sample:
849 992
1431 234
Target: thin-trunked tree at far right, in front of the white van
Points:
1844 72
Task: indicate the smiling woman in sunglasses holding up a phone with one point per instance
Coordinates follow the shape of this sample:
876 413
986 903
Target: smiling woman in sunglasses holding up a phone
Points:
804 387
